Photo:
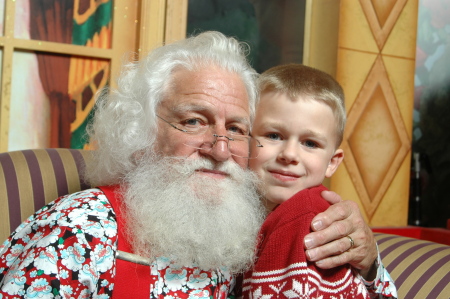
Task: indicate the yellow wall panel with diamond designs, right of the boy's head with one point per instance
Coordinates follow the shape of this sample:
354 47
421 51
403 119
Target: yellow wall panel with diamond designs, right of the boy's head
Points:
376 58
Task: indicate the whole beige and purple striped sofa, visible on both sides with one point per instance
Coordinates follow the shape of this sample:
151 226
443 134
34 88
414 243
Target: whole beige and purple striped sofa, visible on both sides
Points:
31 178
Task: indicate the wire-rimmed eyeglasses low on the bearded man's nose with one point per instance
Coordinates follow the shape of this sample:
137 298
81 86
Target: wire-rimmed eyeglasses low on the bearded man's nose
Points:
238 144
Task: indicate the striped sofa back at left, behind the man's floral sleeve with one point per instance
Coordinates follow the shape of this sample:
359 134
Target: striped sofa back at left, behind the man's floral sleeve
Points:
31 178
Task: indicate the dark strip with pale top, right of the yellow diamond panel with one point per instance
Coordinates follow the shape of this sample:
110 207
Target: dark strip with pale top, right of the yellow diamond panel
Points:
431 132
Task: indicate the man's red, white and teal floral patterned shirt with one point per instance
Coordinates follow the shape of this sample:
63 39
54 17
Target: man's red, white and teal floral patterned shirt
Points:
67 249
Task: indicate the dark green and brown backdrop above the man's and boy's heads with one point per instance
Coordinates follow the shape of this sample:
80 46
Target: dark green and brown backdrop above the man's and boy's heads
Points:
273 29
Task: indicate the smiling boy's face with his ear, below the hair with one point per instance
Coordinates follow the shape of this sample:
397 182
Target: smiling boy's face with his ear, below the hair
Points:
299 140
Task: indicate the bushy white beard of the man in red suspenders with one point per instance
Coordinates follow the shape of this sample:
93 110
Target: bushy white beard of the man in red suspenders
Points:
191 218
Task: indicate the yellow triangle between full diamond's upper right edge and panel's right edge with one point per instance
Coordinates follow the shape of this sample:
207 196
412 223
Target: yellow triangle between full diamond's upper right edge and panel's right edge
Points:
401 75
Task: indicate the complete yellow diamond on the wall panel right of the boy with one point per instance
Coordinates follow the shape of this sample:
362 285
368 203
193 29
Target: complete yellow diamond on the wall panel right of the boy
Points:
376 140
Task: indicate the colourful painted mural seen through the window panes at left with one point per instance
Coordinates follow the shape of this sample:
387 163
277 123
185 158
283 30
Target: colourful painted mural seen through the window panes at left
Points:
53 95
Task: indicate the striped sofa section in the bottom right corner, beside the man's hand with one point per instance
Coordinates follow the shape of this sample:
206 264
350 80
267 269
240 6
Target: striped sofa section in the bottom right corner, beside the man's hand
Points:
421 269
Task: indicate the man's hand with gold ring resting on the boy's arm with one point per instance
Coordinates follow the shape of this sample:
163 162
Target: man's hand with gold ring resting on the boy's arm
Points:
328 244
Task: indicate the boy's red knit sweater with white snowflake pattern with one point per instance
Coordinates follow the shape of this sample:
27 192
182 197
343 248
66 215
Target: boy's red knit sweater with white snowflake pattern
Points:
282 270
